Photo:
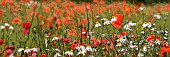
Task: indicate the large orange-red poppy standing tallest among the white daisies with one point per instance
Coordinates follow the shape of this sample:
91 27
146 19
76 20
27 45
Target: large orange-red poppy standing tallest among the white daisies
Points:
118 22
